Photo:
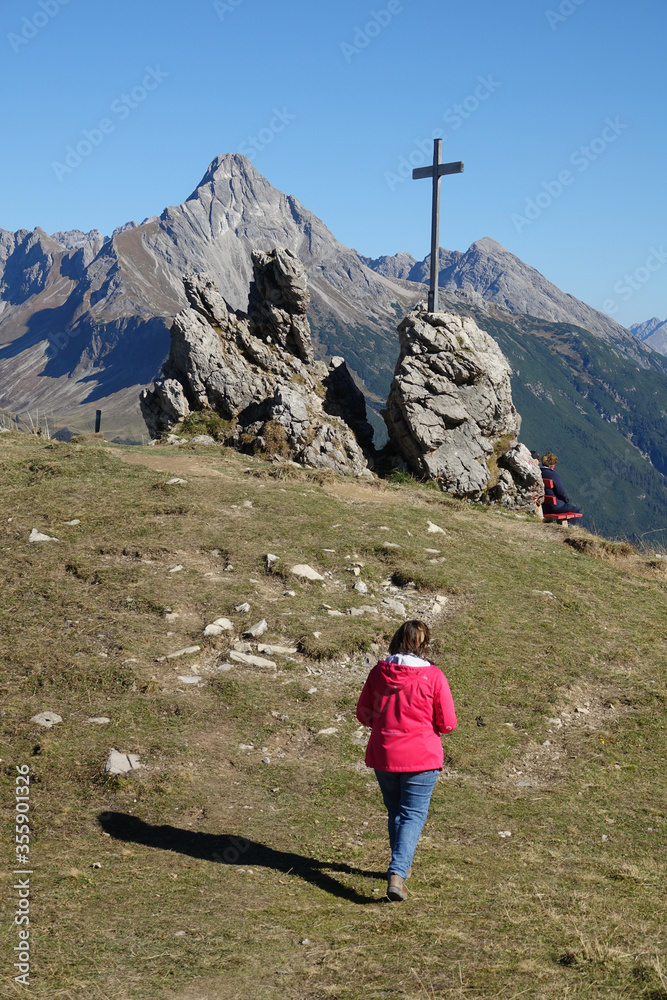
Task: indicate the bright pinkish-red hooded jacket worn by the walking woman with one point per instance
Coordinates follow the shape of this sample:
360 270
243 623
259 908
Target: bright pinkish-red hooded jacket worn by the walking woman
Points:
408 705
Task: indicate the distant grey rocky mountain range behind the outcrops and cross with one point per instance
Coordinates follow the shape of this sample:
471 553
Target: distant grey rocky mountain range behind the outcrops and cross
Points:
85 320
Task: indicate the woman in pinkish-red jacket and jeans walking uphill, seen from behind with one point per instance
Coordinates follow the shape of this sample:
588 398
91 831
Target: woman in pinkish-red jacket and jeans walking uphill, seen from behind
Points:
408 705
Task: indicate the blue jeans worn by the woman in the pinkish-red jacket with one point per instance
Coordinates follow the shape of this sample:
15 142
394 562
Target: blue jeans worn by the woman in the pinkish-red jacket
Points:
406 795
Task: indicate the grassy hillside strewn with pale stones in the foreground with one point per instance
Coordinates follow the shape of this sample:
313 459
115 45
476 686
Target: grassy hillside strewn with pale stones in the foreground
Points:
245 859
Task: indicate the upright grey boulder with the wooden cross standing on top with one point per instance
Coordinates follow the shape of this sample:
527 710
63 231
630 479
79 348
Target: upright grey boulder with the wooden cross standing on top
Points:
450 413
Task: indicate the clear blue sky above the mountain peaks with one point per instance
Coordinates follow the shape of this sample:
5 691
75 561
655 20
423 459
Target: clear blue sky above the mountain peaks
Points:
557 108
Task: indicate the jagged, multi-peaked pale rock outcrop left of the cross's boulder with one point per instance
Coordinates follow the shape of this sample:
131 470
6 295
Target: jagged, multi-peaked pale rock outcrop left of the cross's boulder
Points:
257 373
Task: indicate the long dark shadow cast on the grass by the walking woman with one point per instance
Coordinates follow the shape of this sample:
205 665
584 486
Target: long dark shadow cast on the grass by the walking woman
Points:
227 849
